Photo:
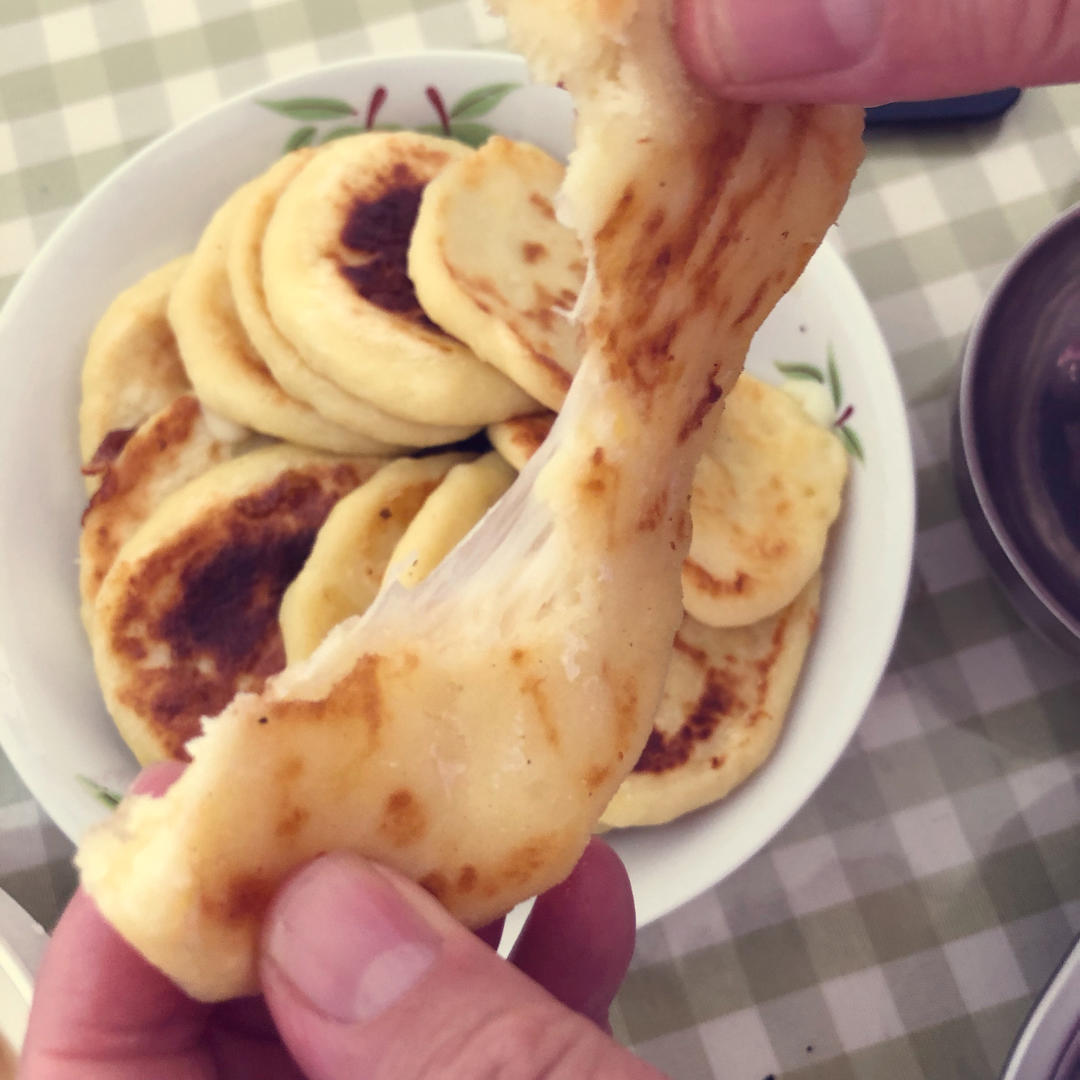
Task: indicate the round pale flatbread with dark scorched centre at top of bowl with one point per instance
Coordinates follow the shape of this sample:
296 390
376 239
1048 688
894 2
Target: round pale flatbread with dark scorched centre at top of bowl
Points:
335 273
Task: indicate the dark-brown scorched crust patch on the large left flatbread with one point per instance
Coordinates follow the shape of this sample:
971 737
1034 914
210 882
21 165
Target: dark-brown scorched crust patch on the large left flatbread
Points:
209 601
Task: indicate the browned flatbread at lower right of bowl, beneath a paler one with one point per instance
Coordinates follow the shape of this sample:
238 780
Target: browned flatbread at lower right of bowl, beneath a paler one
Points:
723 710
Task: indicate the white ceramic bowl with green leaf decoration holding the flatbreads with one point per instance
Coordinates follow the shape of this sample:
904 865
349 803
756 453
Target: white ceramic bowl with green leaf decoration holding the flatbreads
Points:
52 724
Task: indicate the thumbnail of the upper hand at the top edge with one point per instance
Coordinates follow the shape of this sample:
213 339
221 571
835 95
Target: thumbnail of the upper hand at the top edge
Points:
766 40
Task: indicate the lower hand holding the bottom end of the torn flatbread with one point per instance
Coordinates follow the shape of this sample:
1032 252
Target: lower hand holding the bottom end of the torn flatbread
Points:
366 976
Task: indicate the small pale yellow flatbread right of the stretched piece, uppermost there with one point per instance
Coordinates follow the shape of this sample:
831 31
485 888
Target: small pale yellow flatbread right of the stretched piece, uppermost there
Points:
765 495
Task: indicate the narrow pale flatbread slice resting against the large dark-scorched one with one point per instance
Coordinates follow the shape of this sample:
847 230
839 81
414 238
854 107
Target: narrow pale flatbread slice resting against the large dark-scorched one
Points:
345 571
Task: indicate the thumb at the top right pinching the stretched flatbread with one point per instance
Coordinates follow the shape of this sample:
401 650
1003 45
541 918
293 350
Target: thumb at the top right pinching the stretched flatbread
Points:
867 52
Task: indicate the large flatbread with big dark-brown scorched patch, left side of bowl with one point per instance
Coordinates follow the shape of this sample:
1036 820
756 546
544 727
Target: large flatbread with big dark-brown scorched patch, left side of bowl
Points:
188 614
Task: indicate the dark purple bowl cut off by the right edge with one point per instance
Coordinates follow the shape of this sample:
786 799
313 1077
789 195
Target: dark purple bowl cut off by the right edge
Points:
1017 449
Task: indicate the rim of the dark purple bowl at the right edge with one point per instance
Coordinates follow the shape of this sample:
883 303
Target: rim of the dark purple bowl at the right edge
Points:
969 367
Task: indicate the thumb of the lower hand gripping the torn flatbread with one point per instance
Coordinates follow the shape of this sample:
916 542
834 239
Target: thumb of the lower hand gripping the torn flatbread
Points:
368 976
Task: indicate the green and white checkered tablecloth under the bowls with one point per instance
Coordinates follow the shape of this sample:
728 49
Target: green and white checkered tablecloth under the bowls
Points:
901 925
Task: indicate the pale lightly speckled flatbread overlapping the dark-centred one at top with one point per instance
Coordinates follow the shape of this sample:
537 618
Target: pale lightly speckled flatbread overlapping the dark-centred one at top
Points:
495 267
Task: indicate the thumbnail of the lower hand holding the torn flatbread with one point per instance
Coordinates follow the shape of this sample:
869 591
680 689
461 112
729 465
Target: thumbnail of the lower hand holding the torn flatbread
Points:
347 941
